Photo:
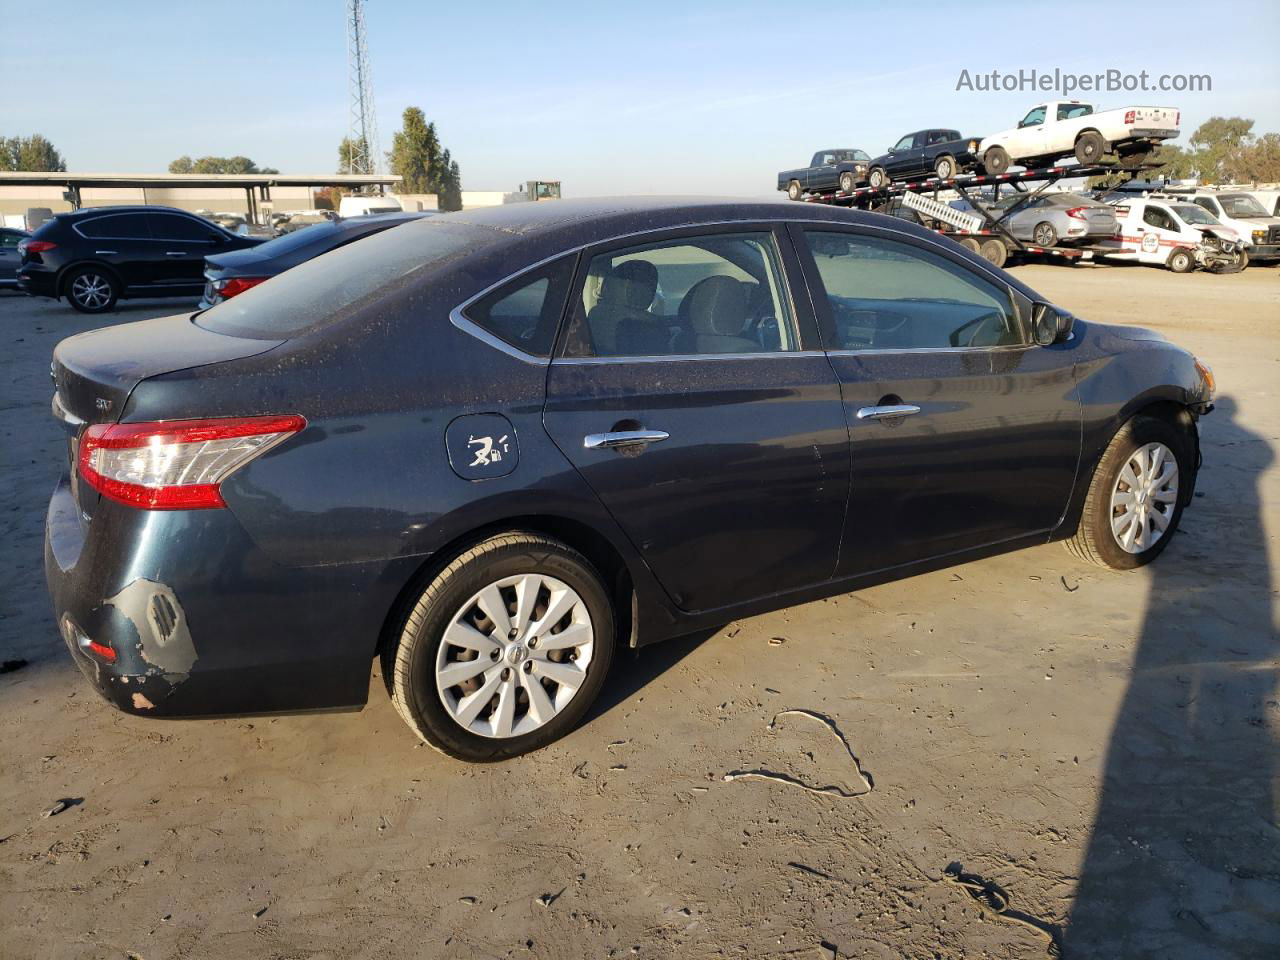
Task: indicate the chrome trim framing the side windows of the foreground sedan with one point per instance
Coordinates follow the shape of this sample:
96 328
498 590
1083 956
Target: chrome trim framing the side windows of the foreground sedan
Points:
460 321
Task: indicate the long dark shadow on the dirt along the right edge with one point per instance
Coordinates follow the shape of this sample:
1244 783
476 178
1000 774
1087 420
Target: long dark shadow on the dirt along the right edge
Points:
1185 856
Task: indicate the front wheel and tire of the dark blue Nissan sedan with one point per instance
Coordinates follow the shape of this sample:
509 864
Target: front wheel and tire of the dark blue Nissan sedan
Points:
1096 540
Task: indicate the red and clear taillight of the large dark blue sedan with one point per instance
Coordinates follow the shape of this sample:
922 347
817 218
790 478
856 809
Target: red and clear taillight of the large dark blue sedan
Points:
176 464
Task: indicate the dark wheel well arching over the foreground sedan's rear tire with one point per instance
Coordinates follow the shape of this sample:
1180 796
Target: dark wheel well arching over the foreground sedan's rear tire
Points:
580 537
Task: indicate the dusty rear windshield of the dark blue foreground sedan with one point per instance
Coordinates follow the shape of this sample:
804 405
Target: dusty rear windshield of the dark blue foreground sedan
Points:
324 290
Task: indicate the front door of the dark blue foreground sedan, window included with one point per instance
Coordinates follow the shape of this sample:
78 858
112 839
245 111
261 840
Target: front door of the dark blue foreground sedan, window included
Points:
962 433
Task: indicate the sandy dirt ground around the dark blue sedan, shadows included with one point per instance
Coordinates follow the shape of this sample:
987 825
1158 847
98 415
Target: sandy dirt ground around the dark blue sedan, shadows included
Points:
1100 746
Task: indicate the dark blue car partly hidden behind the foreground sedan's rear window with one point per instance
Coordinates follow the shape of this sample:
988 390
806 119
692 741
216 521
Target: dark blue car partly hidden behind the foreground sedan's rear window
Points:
231 275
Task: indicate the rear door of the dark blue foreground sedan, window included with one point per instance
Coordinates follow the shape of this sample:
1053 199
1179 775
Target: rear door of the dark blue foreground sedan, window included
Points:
692 395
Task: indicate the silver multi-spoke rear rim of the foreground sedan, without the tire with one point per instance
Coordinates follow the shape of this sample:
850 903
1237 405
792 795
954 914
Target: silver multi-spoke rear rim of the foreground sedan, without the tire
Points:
515 656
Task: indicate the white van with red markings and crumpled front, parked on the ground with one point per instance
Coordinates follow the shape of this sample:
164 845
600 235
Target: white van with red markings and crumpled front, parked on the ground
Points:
1173 232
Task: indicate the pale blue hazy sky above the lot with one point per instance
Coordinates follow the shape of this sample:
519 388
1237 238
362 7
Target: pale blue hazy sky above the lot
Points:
610 98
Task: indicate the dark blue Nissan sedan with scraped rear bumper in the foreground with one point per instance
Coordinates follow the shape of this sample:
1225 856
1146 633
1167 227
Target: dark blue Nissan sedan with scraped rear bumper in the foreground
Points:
497 447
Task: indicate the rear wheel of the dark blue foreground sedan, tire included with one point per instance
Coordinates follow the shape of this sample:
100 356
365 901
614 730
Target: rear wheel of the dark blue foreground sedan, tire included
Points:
473 730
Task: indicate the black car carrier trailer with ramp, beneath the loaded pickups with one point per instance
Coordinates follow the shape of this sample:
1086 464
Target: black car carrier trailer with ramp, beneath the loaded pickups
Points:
980 230
